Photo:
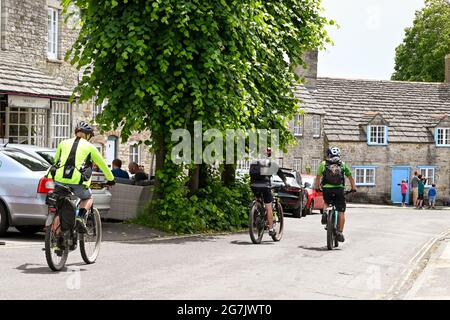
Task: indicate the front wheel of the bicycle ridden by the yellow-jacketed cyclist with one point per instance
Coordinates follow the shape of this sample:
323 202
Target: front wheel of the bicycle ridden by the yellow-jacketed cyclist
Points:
91 240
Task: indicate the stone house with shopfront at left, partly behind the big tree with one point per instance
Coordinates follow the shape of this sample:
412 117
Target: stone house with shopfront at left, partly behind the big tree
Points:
36 83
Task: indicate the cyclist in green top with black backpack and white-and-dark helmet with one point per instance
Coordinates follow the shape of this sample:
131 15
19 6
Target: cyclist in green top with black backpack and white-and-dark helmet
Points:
331 176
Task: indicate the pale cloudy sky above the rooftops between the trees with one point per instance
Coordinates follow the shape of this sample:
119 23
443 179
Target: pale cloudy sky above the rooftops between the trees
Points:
370 30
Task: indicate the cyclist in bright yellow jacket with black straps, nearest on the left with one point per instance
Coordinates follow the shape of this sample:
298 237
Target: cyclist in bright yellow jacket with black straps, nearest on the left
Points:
73 167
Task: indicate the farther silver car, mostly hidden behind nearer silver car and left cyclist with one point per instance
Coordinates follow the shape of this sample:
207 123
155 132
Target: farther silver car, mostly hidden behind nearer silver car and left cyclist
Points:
101 195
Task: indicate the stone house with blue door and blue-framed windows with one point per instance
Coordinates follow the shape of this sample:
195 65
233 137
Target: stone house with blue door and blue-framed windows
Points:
386 131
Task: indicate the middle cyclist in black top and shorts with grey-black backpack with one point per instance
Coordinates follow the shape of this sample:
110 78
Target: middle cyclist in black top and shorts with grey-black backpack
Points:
260 172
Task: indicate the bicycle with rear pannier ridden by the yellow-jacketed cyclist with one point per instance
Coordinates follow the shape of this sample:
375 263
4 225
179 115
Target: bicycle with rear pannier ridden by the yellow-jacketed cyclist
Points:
59 243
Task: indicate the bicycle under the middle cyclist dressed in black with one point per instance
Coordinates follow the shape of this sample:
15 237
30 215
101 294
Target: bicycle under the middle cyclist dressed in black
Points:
258 218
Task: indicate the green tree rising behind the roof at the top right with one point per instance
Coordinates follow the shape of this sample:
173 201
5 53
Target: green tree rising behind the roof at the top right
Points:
421 56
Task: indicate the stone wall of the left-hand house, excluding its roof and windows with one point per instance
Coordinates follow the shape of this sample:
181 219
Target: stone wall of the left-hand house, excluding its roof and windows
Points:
24 26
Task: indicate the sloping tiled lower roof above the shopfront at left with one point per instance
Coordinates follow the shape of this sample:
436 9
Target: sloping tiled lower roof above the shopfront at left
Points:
18 76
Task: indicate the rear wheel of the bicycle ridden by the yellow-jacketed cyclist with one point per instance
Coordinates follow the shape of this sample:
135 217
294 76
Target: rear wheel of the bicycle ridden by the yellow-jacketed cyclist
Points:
56 257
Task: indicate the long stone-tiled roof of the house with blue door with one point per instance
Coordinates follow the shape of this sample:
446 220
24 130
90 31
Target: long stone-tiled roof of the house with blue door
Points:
410 108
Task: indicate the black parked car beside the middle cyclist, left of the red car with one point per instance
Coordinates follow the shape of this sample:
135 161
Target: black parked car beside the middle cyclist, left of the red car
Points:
294 196
